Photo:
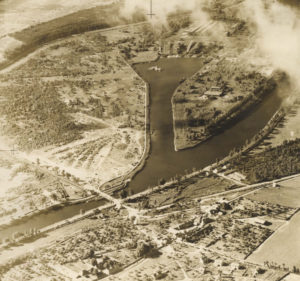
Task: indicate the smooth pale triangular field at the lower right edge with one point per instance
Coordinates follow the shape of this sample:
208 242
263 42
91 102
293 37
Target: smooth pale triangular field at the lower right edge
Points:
283 247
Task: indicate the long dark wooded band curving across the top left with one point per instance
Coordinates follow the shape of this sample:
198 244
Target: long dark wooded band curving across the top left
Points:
82 21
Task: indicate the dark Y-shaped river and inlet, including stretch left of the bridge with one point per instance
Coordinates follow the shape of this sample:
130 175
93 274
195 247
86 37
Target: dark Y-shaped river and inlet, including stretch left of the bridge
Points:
164 161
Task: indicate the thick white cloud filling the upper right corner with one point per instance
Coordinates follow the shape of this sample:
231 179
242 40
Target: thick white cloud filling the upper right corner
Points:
278 35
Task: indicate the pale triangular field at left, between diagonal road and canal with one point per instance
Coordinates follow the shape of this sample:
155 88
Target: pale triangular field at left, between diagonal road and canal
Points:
27 188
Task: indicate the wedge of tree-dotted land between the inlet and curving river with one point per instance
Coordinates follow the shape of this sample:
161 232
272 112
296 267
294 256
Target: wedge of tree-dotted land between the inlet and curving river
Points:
201 110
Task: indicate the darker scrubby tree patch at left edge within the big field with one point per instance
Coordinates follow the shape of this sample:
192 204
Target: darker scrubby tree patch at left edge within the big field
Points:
37 116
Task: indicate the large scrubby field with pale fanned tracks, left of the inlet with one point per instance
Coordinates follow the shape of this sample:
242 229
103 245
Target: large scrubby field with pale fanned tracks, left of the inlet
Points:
79 79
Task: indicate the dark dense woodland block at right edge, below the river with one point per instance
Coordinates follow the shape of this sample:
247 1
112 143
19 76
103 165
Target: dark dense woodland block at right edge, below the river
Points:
277 162
